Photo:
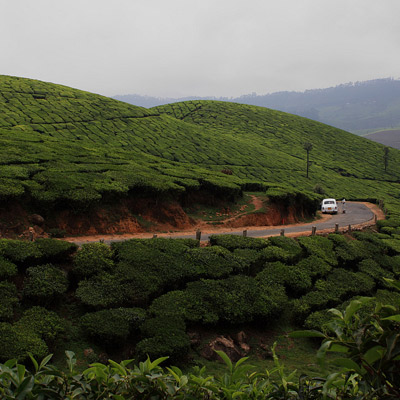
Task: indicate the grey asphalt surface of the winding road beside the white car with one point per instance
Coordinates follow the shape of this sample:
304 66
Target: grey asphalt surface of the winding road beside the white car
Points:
356 213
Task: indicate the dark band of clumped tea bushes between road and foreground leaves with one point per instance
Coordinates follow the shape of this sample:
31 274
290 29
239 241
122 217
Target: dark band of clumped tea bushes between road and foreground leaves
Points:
142 297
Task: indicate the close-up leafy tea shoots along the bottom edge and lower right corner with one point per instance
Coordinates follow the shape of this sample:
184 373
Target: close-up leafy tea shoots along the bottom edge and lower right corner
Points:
364 338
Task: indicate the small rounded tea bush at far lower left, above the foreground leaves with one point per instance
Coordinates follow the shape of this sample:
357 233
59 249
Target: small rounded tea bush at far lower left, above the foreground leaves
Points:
44 323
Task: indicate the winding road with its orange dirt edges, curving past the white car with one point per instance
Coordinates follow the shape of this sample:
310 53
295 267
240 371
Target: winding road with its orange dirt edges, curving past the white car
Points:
358 215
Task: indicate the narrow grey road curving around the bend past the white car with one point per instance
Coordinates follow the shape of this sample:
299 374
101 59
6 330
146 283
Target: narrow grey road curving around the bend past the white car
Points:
356 214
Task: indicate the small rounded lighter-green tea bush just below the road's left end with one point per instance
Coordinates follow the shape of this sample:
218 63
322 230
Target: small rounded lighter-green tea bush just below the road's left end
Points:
91 259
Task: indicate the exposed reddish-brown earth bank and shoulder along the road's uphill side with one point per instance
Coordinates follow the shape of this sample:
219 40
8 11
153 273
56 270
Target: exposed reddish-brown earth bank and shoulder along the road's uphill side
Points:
145 217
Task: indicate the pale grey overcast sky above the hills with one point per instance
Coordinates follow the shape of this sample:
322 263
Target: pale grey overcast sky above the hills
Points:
174 48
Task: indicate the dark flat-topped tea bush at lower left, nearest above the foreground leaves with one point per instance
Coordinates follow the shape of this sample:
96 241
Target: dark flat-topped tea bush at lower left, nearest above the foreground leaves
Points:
113 325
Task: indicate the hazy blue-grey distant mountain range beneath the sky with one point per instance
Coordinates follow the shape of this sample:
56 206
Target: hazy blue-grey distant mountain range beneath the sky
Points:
360 107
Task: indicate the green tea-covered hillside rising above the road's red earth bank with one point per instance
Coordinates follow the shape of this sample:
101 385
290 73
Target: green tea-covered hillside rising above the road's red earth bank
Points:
62 147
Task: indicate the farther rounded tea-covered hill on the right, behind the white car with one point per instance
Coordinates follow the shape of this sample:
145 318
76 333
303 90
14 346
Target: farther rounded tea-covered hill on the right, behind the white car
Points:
343 163
